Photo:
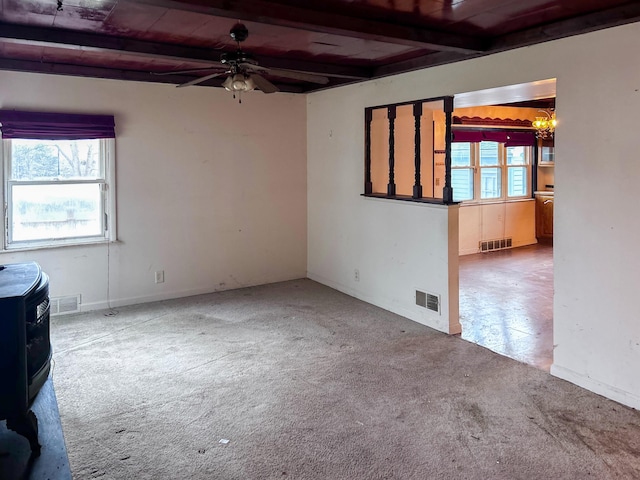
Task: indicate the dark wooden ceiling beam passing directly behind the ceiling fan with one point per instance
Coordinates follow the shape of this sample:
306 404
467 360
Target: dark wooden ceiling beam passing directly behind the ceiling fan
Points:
83 41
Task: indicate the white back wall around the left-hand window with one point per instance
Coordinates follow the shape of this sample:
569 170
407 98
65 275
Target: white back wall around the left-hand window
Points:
211 191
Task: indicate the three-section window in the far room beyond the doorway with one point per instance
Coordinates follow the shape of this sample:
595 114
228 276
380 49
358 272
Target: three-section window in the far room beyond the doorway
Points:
489 171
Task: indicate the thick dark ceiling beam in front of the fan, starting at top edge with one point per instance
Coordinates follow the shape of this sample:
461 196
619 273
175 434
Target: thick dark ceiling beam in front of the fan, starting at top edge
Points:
301 17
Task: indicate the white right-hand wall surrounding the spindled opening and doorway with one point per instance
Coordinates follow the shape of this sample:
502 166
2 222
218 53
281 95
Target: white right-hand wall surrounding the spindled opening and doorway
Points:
397 246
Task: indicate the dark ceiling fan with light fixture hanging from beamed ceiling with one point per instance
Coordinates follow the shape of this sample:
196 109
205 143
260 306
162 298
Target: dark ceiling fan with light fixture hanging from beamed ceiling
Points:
242 70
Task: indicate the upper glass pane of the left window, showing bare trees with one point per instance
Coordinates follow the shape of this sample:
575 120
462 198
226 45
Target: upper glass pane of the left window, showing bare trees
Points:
62 159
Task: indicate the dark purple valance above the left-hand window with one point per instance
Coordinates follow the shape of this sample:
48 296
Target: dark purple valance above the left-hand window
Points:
55 126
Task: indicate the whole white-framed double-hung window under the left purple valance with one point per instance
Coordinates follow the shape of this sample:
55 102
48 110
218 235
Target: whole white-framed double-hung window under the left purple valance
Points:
57 192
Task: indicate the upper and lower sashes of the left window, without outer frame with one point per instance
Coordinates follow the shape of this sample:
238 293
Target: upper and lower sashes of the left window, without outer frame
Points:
56 190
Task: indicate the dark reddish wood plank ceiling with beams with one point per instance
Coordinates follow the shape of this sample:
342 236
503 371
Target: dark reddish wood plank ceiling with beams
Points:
343 40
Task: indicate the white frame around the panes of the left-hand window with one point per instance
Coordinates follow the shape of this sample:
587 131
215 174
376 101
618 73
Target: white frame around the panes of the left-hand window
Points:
108 201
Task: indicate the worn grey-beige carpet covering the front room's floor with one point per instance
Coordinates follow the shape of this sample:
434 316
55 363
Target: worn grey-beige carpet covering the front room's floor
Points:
295 380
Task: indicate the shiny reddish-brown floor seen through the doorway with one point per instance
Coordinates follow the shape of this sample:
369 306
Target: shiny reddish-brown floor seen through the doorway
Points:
506 302
